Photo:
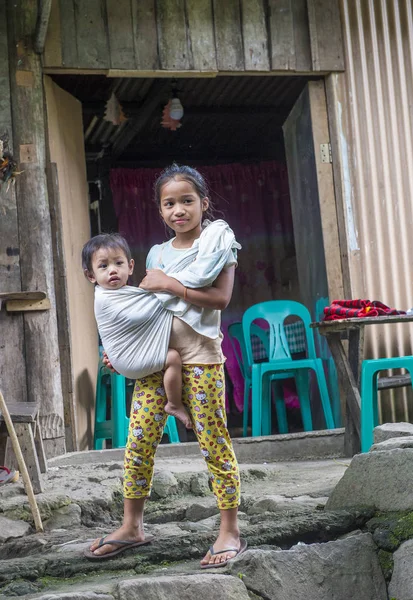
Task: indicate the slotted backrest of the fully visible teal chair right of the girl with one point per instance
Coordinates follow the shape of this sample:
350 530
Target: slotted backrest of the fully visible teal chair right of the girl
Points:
275 312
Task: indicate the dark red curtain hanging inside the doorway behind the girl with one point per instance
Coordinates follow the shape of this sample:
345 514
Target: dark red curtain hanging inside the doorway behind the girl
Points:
253 199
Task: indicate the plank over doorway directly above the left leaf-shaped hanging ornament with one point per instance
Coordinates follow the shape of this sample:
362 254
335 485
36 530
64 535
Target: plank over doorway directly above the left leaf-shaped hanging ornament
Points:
120 28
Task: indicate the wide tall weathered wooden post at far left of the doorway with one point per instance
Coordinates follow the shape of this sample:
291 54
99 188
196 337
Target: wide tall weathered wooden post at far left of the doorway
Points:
36 252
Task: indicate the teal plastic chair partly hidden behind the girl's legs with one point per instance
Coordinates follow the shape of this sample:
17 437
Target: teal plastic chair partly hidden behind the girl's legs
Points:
115 428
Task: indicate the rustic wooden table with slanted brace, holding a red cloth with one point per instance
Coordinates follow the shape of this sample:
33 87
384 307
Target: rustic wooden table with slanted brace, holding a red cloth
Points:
349 365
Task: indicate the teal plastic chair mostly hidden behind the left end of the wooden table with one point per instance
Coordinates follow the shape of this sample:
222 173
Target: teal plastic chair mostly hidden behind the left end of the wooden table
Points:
329 366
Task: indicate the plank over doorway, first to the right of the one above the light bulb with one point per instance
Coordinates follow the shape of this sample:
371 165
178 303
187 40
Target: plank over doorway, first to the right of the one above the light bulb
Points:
201 35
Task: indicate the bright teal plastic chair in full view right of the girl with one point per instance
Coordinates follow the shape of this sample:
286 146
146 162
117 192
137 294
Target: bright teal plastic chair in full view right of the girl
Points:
280 362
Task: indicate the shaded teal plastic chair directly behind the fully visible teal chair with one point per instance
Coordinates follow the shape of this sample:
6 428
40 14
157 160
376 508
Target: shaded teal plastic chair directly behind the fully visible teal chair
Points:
236 333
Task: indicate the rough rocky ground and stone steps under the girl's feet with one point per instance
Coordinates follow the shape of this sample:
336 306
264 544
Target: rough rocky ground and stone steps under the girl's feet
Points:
297 548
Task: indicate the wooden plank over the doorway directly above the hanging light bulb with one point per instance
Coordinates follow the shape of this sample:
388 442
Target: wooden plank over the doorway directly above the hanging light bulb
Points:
174 52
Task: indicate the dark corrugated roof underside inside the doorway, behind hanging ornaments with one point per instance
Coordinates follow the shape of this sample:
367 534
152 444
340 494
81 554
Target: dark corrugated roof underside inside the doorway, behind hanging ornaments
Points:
257 107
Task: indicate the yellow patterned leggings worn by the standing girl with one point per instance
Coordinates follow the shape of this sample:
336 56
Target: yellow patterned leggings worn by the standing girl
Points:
204 397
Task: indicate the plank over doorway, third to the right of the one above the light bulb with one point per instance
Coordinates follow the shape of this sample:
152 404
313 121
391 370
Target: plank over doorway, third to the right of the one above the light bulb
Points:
255 34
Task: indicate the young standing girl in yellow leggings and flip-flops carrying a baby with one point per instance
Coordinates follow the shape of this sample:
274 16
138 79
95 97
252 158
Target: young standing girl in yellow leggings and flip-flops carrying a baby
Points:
182 197
